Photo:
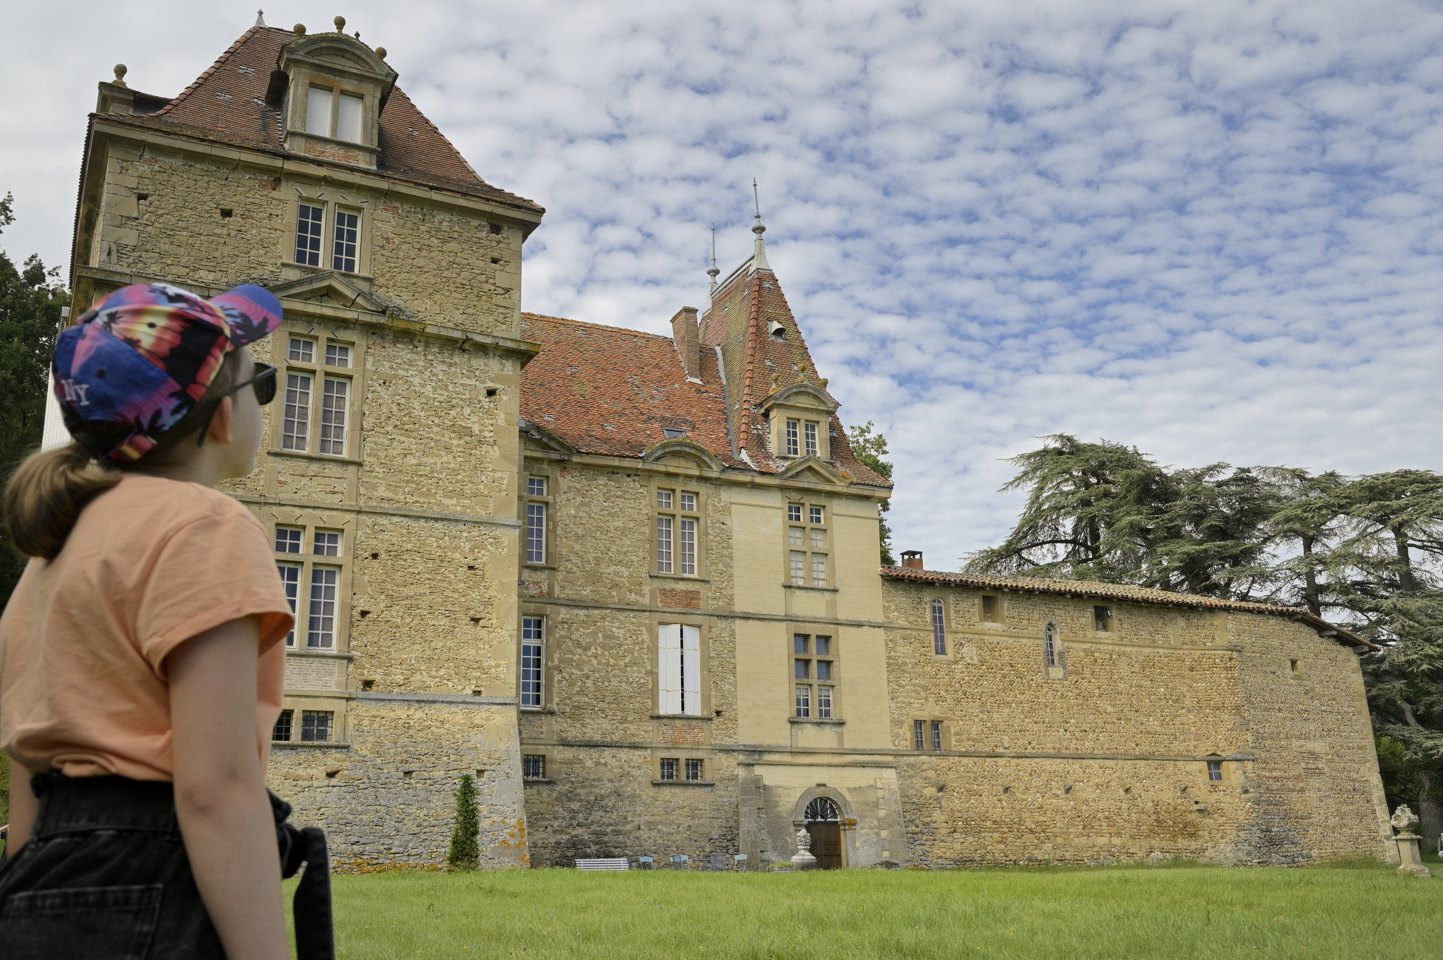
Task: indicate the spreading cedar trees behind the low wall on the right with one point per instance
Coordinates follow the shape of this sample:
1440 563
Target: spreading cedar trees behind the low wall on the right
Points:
1366 552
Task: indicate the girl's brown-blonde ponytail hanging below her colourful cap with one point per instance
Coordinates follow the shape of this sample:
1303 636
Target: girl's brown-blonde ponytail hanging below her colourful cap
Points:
47 494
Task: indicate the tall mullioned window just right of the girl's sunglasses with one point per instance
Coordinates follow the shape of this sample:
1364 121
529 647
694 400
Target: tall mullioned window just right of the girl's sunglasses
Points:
318 396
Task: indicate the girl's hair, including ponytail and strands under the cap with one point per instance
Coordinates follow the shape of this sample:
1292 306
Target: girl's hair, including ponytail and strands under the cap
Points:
50 490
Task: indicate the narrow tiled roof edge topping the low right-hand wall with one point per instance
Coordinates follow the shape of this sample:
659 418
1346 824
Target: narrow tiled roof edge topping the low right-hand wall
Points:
1102 591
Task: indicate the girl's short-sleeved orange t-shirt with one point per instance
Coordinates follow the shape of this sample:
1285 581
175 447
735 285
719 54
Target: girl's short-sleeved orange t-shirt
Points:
84 639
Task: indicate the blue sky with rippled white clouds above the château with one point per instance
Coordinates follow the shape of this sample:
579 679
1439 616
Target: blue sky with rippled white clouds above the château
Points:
1207 230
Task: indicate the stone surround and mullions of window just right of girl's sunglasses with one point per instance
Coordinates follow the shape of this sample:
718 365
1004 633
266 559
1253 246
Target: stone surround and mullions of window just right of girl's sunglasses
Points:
323 336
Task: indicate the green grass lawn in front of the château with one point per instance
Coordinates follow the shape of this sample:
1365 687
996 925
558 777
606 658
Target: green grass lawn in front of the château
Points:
1348 912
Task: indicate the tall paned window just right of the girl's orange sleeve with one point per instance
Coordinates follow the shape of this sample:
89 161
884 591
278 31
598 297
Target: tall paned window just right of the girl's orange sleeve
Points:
312 582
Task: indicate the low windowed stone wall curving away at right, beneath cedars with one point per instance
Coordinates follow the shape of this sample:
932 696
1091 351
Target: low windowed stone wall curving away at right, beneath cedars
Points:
1106 759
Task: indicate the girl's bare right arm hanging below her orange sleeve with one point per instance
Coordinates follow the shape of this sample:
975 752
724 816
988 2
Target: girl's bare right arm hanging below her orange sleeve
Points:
222 803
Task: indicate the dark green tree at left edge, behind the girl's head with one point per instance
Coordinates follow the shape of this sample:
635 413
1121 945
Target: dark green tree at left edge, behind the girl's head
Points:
31 301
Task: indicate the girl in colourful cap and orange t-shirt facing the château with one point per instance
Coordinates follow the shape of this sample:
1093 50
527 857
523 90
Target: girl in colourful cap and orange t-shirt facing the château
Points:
141 656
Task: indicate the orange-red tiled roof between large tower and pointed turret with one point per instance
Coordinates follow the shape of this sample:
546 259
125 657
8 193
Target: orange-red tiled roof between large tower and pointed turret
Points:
611 392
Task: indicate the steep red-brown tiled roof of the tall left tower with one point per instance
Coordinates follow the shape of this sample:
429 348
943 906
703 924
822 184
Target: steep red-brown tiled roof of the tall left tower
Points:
229 105
